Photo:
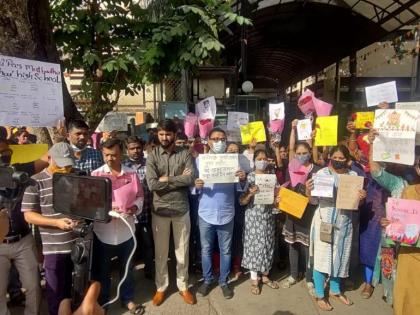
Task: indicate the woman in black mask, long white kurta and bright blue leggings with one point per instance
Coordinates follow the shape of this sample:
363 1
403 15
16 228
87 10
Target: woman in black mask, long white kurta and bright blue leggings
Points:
331 257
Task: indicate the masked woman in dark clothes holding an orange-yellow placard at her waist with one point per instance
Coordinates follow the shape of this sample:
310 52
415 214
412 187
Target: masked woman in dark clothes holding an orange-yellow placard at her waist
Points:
296 231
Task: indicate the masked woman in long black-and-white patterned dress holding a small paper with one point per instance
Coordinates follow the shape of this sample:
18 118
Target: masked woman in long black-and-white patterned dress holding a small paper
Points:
259 230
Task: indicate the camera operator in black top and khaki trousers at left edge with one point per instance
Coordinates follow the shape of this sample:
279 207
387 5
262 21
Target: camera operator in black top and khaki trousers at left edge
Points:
18 246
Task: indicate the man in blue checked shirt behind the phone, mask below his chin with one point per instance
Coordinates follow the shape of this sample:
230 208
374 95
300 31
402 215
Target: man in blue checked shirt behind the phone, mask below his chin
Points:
87 159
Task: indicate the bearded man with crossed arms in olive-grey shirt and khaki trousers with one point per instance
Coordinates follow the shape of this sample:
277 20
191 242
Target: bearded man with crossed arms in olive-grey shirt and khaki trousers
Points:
170 173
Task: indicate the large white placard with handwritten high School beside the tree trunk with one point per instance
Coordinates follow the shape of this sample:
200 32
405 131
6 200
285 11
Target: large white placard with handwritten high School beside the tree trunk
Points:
30 93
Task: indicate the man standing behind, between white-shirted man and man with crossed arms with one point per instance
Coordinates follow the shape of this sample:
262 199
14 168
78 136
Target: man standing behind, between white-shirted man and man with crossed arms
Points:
137 162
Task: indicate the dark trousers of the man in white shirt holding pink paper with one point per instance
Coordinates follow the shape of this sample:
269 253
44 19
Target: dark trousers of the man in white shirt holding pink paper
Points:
101 269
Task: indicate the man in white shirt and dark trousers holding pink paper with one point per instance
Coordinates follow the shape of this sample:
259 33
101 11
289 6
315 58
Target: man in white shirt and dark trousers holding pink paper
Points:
115 238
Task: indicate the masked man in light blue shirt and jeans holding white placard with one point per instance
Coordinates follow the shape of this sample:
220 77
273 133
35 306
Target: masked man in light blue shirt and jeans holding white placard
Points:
217 208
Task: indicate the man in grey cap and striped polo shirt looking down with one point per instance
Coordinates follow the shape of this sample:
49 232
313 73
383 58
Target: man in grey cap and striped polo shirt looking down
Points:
56 229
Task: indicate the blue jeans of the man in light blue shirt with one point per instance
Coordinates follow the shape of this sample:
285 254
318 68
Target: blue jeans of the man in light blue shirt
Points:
208 233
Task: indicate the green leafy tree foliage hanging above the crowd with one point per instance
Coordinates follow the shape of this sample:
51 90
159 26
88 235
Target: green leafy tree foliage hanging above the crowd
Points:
122 44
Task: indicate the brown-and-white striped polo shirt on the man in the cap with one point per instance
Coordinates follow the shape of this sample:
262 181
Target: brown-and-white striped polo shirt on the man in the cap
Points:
39 198
